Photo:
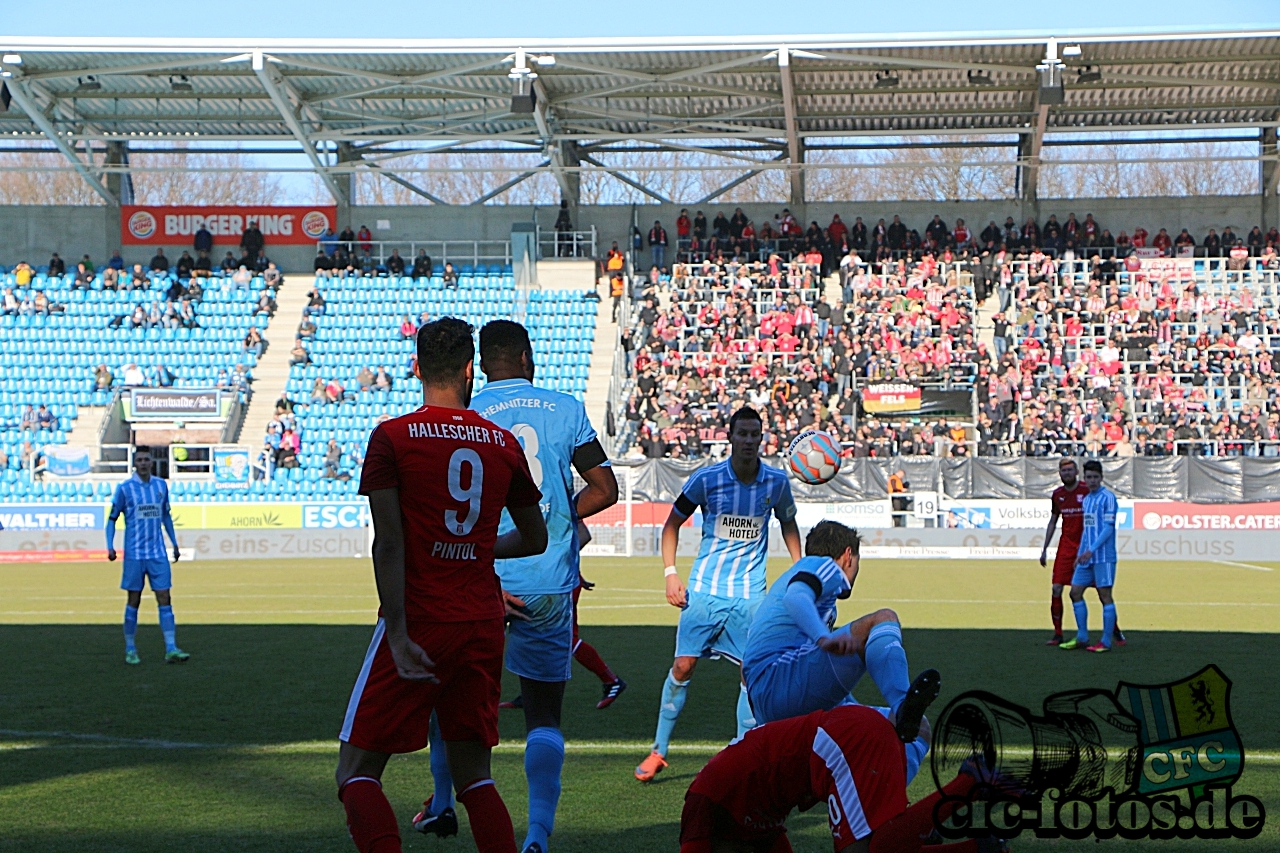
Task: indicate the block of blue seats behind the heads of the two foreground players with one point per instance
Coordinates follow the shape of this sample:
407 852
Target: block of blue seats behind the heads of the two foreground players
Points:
355 366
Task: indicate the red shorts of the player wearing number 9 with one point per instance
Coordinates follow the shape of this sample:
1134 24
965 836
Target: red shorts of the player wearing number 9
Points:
388 714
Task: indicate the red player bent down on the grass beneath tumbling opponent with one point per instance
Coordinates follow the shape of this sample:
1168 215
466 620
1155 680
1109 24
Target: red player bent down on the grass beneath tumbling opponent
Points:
849 758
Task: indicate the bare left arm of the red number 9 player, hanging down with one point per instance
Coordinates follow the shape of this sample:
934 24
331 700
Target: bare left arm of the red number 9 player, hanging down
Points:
412 662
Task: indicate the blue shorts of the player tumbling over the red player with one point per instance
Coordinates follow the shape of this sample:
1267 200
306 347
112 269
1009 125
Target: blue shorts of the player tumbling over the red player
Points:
803 681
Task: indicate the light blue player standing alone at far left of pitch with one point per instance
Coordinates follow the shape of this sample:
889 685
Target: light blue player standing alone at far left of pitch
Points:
144 501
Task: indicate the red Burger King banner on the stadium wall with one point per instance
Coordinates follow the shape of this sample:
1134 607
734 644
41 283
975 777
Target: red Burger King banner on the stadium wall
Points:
172 226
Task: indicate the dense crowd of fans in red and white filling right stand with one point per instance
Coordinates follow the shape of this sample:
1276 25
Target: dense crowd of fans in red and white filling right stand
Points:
1100 348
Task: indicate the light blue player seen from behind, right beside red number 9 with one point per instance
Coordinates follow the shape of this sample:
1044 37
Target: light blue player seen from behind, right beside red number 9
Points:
557 440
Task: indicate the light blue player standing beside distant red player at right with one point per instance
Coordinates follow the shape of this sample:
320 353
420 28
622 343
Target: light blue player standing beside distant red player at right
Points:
1095 562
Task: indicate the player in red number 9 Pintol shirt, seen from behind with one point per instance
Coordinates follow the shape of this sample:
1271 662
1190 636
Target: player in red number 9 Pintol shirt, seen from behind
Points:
437 482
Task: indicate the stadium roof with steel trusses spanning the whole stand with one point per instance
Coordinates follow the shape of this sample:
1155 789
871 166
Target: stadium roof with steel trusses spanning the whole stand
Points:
769 94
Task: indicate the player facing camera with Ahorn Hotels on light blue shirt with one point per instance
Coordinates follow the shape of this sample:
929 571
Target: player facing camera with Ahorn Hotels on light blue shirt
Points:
728 582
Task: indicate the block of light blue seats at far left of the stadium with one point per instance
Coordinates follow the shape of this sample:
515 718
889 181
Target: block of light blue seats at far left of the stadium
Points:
75 341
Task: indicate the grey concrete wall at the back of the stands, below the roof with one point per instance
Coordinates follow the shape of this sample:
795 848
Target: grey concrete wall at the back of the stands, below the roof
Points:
30 232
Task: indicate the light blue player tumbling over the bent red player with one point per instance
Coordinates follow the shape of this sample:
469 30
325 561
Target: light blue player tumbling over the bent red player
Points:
797 663
